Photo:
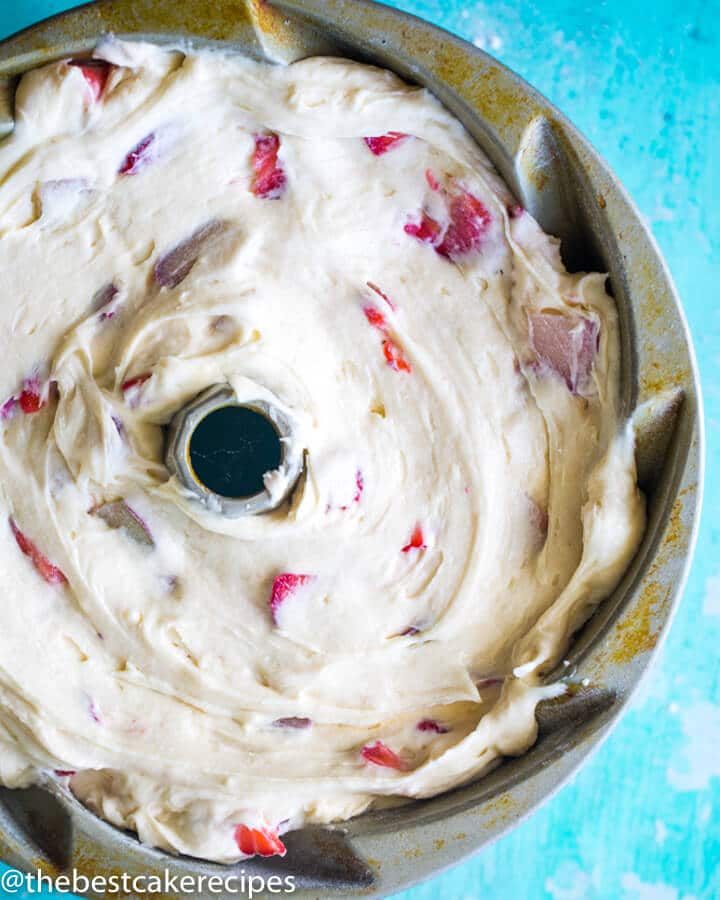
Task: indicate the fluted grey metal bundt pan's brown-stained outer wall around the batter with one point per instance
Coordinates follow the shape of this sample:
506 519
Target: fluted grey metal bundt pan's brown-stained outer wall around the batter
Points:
570 190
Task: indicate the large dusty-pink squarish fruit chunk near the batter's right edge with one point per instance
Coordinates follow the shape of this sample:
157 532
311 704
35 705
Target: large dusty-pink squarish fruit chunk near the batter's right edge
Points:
566 345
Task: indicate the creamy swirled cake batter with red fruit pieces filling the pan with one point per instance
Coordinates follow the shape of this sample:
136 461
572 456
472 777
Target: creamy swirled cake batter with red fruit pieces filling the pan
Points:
329 240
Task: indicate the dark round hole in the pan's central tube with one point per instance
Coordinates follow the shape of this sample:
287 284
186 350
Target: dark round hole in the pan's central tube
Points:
232 448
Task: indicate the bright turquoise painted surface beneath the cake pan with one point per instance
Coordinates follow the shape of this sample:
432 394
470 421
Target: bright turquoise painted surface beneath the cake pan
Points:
642 81
